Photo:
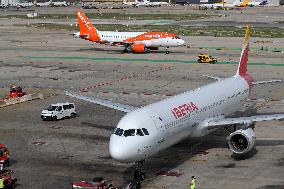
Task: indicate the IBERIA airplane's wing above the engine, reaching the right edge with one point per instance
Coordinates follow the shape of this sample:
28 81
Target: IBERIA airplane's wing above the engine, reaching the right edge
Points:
212 124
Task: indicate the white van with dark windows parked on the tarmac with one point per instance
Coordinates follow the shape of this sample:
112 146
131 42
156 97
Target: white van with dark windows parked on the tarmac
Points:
58 111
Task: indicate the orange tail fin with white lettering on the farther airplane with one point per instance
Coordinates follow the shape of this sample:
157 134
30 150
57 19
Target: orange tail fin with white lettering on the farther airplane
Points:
86 28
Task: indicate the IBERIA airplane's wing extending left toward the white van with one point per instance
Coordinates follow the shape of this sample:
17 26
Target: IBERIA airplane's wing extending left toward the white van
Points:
107 103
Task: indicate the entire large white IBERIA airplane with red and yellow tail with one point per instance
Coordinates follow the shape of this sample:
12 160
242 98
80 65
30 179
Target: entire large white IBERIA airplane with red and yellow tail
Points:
145 131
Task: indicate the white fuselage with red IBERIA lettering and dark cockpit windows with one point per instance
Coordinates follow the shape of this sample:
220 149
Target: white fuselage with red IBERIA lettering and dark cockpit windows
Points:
148 130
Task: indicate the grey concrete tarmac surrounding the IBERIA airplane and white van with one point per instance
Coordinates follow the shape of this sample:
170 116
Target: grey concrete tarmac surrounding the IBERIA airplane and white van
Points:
52 154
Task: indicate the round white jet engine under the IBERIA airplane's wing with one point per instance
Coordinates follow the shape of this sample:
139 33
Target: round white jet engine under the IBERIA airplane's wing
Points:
242 141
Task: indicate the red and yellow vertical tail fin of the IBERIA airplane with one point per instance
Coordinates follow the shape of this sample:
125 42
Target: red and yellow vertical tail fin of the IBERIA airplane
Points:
242 69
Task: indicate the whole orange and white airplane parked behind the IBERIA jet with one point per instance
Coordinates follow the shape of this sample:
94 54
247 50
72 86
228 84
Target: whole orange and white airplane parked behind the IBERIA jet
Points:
136 42
